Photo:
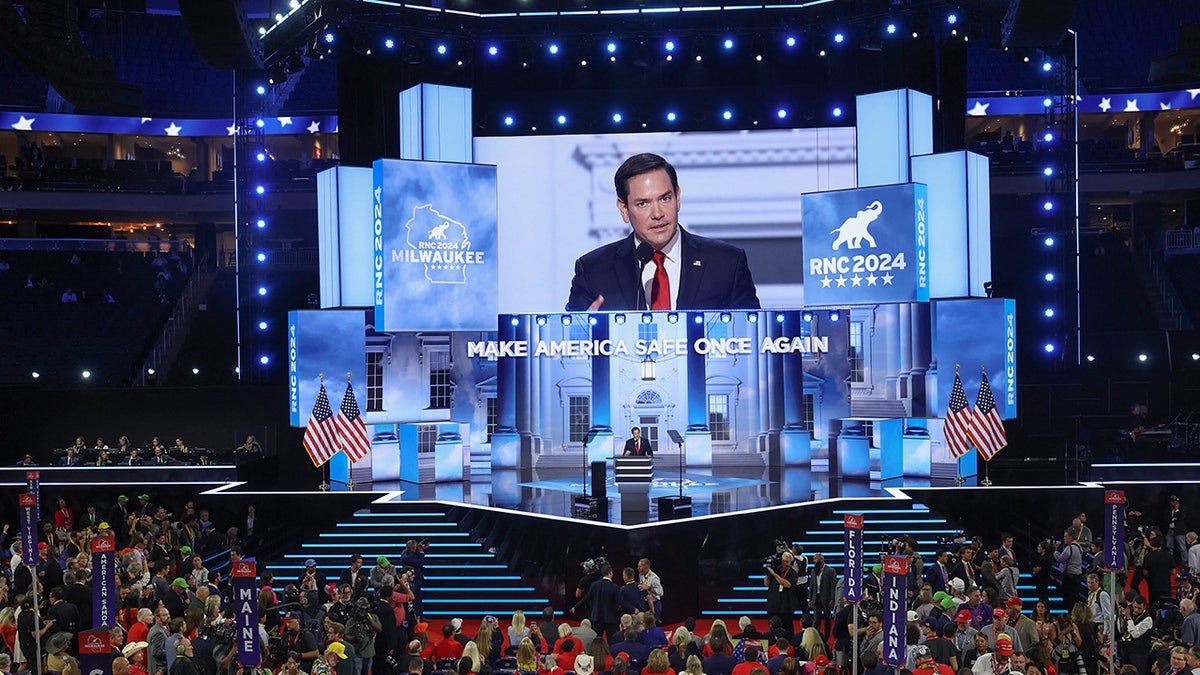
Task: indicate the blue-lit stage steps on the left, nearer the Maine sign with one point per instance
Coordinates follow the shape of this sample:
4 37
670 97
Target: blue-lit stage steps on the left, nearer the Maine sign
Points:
461 577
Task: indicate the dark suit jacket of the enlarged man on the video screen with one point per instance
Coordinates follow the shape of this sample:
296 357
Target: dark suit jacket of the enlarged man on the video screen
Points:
713 276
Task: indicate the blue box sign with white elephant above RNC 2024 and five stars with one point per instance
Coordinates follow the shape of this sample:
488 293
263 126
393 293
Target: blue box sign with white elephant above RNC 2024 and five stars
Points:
866 247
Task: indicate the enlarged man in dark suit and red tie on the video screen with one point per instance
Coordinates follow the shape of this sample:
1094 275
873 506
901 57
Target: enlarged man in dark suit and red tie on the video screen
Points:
661 266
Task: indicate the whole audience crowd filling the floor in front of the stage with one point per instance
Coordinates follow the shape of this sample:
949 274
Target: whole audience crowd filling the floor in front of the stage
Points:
965 614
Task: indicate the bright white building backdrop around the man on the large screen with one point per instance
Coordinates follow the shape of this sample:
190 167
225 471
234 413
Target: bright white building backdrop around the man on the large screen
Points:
557 201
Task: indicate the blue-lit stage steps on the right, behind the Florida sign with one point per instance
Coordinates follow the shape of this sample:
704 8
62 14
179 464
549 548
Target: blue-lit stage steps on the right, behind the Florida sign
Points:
885 519
